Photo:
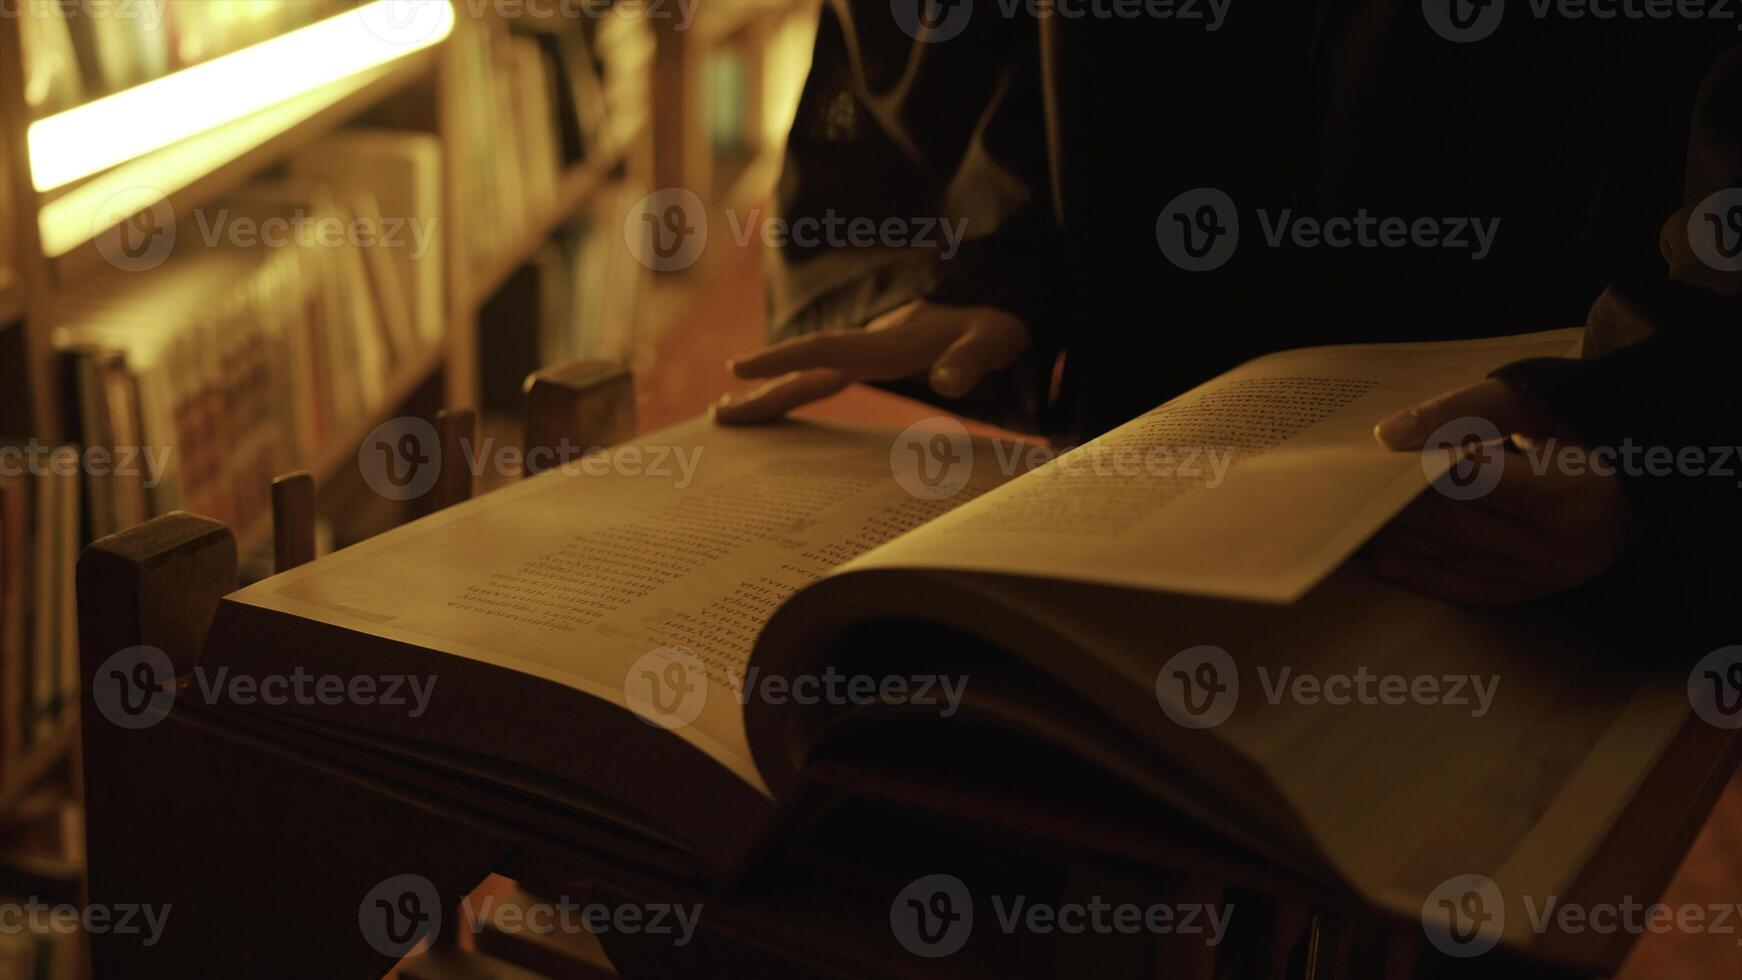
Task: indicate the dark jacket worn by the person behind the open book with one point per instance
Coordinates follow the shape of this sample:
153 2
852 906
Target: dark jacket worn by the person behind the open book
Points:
1063 140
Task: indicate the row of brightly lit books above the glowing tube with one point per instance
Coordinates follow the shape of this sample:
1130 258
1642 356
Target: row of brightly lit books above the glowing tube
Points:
78 51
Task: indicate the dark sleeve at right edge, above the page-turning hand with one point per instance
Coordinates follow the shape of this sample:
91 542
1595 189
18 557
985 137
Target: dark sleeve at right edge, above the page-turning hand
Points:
1663 372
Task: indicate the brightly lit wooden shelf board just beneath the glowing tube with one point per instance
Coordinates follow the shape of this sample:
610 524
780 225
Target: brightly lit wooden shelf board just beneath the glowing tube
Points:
205 168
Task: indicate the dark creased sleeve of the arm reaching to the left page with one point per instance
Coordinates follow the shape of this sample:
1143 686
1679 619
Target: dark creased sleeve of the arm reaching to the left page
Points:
942 142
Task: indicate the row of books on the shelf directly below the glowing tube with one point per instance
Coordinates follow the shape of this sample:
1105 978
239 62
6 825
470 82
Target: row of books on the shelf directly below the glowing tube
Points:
280 325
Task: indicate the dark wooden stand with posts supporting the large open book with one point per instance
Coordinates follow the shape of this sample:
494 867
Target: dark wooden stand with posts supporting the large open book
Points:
271 845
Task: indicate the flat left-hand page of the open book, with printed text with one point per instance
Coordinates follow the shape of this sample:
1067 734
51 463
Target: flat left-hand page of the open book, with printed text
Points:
687 539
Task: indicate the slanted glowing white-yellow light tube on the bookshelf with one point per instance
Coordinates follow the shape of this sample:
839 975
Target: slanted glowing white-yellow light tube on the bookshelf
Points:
149 117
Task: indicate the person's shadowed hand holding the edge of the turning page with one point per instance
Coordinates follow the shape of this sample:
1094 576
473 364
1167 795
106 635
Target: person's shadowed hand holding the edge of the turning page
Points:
1532 535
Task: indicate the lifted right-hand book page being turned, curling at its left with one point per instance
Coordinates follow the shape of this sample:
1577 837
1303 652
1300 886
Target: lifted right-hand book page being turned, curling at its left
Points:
1252 487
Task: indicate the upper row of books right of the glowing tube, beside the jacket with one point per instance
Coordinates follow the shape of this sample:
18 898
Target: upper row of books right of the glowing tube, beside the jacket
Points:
536 105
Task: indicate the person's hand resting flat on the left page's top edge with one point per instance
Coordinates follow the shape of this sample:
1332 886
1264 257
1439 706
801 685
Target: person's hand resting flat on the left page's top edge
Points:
955 346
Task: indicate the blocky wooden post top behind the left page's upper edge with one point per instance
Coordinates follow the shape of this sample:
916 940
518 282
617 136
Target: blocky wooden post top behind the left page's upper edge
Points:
576 408
